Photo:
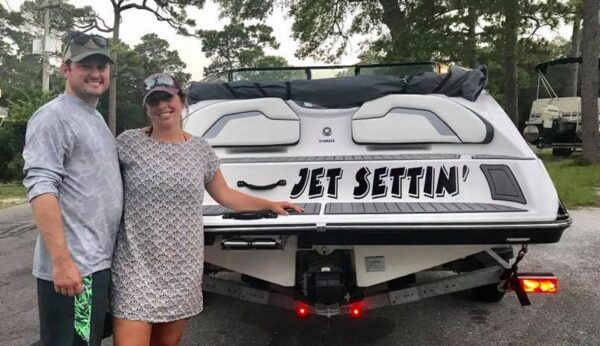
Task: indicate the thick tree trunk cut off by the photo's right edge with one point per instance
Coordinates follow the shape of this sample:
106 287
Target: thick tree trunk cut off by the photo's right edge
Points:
589 82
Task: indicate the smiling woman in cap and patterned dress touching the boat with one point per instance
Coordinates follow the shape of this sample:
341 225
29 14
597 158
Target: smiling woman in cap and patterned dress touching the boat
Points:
158 260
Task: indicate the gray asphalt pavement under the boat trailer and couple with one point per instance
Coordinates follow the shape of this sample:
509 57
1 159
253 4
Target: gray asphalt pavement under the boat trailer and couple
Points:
571 317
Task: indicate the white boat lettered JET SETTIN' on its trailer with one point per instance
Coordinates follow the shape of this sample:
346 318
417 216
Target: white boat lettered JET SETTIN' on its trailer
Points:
398 175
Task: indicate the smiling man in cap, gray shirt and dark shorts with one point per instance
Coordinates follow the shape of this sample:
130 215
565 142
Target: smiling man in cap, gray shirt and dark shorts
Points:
74 186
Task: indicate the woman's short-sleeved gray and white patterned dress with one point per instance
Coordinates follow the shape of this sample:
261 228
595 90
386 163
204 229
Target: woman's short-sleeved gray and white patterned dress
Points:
158 261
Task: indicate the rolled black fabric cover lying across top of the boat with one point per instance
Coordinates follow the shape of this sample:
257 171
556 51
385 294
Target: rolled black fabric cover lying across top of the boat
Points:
347 91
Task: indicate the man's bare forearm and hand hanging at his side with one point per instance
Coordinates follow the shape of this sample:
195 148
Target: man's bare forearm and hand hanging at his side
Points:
66 275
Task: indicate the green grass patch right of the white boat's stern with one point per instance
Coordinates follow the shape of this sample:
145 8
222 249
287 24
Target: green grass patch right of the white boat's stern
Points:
578 184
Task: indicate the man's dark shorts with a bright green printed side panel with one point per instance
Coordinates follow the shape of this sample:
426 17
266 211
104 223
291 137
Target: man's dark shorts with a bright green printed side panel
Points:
74 320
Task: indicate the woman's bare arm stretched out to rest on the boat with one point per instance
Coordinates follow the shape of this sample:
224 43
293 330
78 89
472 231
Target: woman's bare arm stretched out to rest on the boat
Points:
236 200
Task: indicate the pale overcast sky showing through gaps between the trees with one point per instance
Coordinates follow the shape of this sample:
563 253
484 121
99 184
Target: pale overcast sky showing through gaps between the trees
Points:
137 23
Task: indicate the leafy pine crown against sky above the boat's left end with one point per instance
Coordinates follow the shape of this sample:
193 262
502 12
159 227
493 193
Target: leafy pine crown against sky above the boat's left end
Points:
239 45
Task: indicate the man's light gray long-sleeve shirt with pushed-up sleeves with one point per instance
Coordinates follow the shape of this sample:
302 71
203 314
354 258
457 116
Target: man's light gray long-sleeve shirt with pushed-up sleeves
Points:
70 153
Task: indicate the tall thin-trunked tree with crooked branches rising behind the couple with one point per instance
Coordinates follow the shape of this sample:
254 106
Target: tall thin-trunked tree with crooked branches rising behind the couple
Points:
171 12
